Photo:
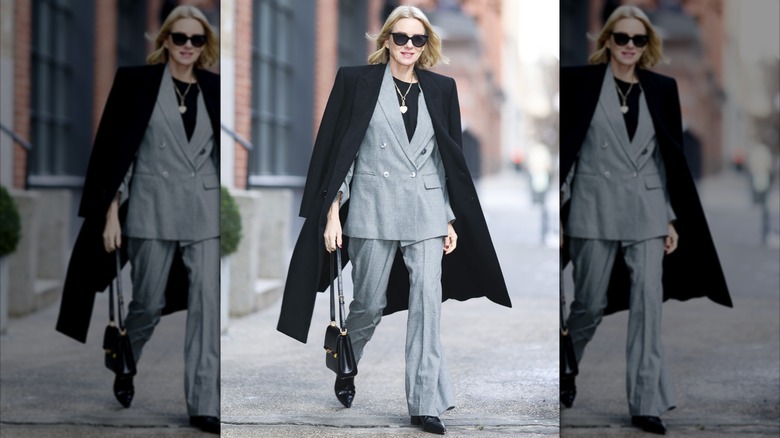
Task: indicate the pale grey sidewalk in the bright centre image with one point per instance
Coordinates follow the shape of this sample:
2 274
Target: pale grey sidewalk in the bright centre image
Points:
503 361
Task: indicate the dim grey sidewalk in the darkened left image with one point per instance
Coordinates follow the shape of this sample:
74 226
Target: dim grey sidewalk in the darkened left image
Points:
54 386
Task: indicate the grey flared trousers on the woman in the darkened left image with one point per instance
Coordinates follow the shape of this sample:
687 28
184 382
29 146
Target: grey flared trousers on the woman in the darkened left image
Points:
151 261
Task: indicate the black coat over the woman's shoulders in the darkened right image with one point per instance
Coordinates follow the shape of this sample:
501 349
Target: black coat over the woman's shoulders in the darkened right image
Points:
693 270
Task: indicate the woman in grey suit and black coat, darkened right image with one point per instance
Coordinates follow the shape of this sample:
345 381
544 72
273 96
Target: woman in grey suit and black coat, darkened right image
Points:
627 197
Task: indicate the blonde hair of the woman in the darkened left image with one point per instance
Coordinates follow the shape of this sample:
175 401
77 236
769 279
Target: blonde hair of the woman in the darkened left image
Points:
210 54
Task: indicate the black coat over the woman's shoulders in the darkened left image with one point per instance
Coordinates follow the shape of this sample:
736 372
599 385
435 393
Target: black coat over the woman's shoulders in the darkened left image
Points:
121 130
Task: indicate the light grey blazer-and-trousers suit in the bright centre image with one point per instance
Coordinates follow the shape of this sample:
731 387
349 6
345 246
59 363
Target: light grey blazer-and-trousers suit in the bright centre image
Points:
399 201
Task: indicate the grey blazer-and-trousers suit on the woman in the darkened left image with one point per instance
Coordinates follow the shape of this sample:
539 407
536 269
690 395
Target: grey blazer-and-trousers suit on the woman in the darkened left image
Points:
174 204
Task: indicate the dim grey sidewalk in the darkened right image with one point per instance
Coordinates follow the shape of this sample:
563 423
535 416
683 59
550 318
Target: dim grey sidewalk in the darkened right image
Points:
725 363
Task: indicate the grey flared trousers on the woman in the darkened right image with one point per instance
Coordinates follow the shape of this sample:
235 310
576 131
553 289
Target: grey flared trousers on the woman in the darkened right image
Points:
648 384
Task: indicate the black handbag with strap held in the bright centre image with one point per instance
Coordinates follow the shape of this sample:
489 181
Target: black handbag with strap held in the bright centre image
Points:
339 356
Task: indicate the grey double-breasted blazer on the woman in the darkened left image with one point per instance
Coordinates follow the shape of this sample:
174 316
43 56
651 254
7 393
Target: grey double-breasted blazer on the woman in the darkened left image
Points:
174 184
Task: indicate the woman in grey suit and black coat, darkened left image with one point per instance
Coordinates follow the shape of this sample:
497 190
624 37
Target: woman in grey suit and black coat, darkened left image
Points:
153 176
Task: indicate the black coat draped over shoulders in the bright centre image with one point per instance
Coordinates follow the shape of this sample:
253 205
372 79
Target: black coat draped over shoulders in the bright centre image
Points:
471 271
